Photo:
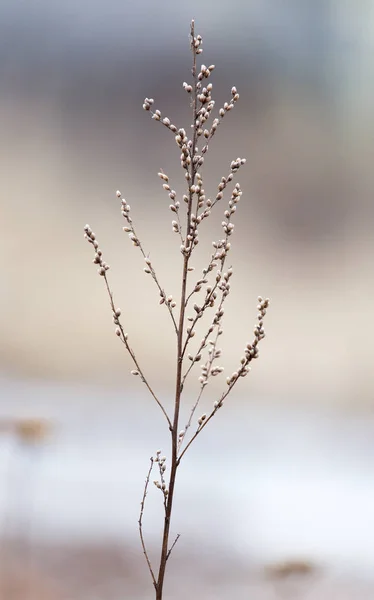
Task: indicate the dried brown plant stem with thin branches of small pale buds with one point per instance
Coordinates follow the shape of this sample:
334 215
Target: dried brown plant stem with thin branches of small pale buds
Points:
213 283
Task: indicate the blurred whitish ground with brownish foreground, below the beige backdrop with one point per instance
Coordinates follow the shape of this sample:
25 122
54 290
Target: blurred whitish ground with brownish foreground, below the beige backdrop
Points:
263 487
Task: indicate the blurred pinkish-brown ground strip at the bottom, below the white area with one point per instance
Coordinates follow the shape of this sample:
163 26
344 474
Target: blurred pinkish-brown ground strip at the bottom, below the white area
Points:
105 571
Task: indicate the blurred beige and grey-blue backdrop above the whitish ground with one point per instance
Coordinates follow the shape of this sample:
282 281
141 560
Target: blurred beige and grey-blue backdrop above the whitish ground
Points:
74 132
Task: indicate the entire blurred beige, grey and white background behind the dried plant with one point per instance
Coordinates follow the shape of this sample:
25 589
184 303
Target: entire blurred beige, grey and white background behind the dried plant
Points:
276 499
